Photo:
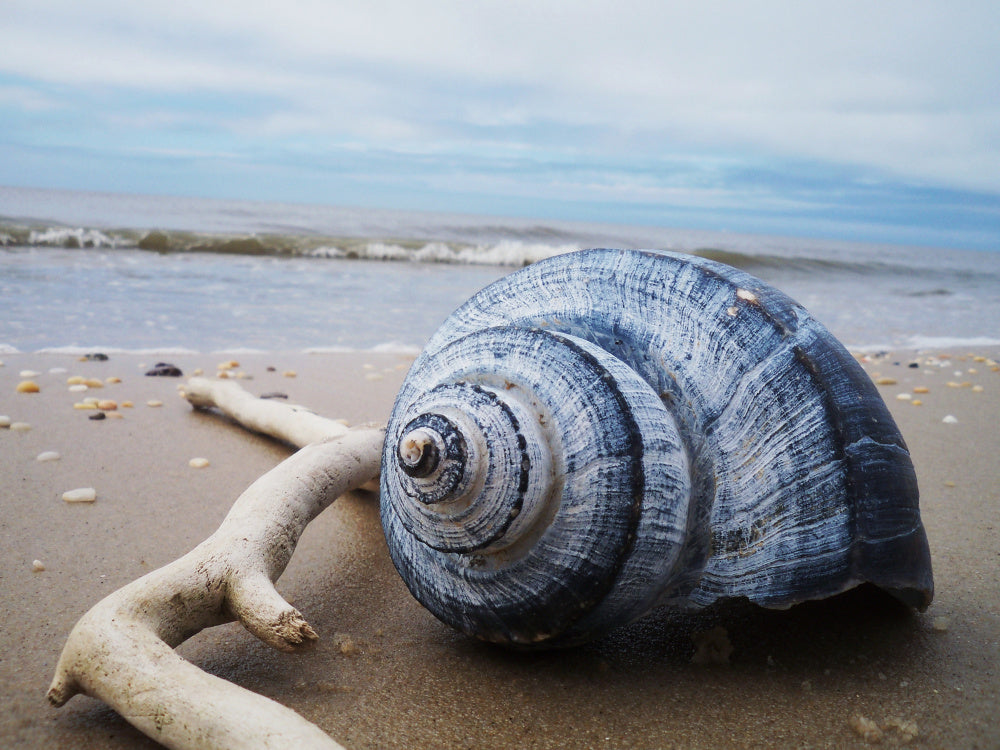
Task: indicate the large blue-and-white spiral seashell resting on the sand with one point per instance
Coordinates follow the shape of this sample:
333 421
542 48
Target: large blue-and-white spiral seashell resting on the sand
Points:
606 432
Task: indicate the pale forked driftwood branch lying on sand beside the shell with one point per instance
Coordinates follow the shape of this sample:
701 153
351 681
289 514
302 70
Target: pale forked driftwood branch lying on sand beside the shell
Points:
121 651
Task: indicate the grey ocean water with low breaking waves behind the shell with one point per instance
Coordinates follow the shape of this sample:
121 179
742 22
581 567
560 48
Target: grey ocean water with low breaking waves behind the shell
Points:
98 271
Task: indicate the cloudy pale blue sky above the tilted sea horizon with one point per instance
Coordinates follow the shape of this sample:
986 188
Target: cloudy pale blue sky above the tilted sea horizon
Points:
875 121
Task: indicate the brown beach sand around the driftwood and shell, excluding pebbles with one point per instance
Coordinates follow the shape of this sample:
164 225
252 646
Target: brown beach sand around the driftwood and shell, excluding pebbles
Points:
387 674
